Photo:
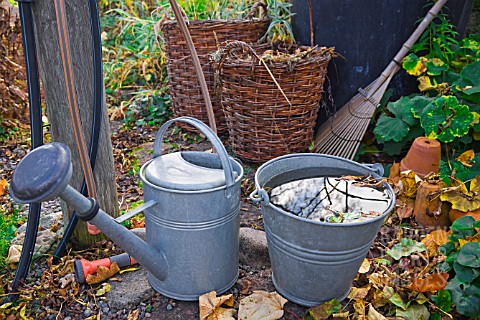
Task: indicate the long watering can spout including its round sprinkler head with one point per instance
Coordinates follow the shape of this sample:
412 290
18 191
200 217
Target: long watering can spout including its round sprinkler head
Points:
44 174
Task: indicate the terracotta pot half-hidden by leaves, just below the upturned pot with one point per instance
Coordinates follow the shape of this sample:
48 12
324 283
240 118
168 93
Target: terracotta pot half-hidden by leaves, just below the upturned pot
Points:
430 211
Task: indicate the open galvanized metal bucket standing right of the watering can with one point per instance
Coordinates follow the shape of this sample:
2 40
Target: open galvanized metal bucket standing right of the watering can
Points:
313 261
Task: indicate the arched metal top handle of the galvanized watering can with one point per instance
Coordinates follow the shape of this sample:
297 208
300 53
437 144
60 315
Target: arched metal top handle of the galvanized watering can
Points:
211 136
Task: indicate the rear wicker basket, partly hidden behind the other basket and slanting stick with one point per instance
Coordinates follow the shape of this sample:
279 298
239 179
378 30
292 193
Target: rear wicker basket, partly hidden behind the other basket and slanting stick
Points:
207 36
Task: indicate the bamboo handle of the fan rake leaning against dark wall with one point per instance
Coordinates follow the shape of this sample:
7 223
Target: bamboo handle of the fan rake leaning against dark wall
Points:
393 66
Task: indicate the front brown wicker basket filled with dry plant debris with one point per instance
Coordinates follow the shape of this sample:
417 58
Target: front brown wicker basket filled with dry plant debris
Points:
262 124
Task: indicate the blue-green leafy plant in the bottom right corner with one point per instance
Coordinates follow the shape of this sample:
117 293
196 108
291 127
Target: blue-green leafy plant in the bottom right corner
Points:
463 262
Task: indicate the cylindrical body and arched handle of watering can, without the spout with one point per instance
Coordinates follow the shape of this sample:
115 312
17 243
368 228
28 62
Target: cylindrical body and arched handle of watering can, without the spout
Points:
195 226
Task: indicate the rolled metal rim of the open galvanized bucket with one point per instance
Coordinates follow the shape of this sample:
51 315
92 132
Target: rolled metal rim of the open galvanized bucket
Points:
388 189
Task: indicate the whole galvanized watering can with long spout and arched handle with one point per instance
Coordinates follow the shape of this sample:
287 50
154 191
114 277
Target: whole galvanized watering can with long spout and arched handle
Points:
192 205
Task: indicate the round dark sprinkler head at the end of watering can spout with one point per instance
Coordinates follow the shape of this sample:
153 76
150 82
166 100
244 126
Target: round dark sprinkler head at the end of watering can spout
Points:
42 174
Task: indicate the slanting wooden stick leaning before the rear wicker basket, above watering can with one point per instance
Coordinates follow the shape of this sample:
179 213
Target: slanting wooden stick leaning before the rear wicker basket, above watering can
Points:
196 62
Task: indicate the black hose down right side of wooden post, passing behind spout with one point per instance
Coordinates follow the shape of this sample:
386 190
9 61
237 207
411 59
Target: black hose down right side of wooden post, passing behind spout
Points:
96 121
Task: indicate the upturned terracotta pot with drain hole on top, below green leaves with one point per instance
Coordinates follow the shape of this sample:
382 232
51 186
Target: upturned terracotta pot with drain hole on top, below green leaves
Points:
423 157
